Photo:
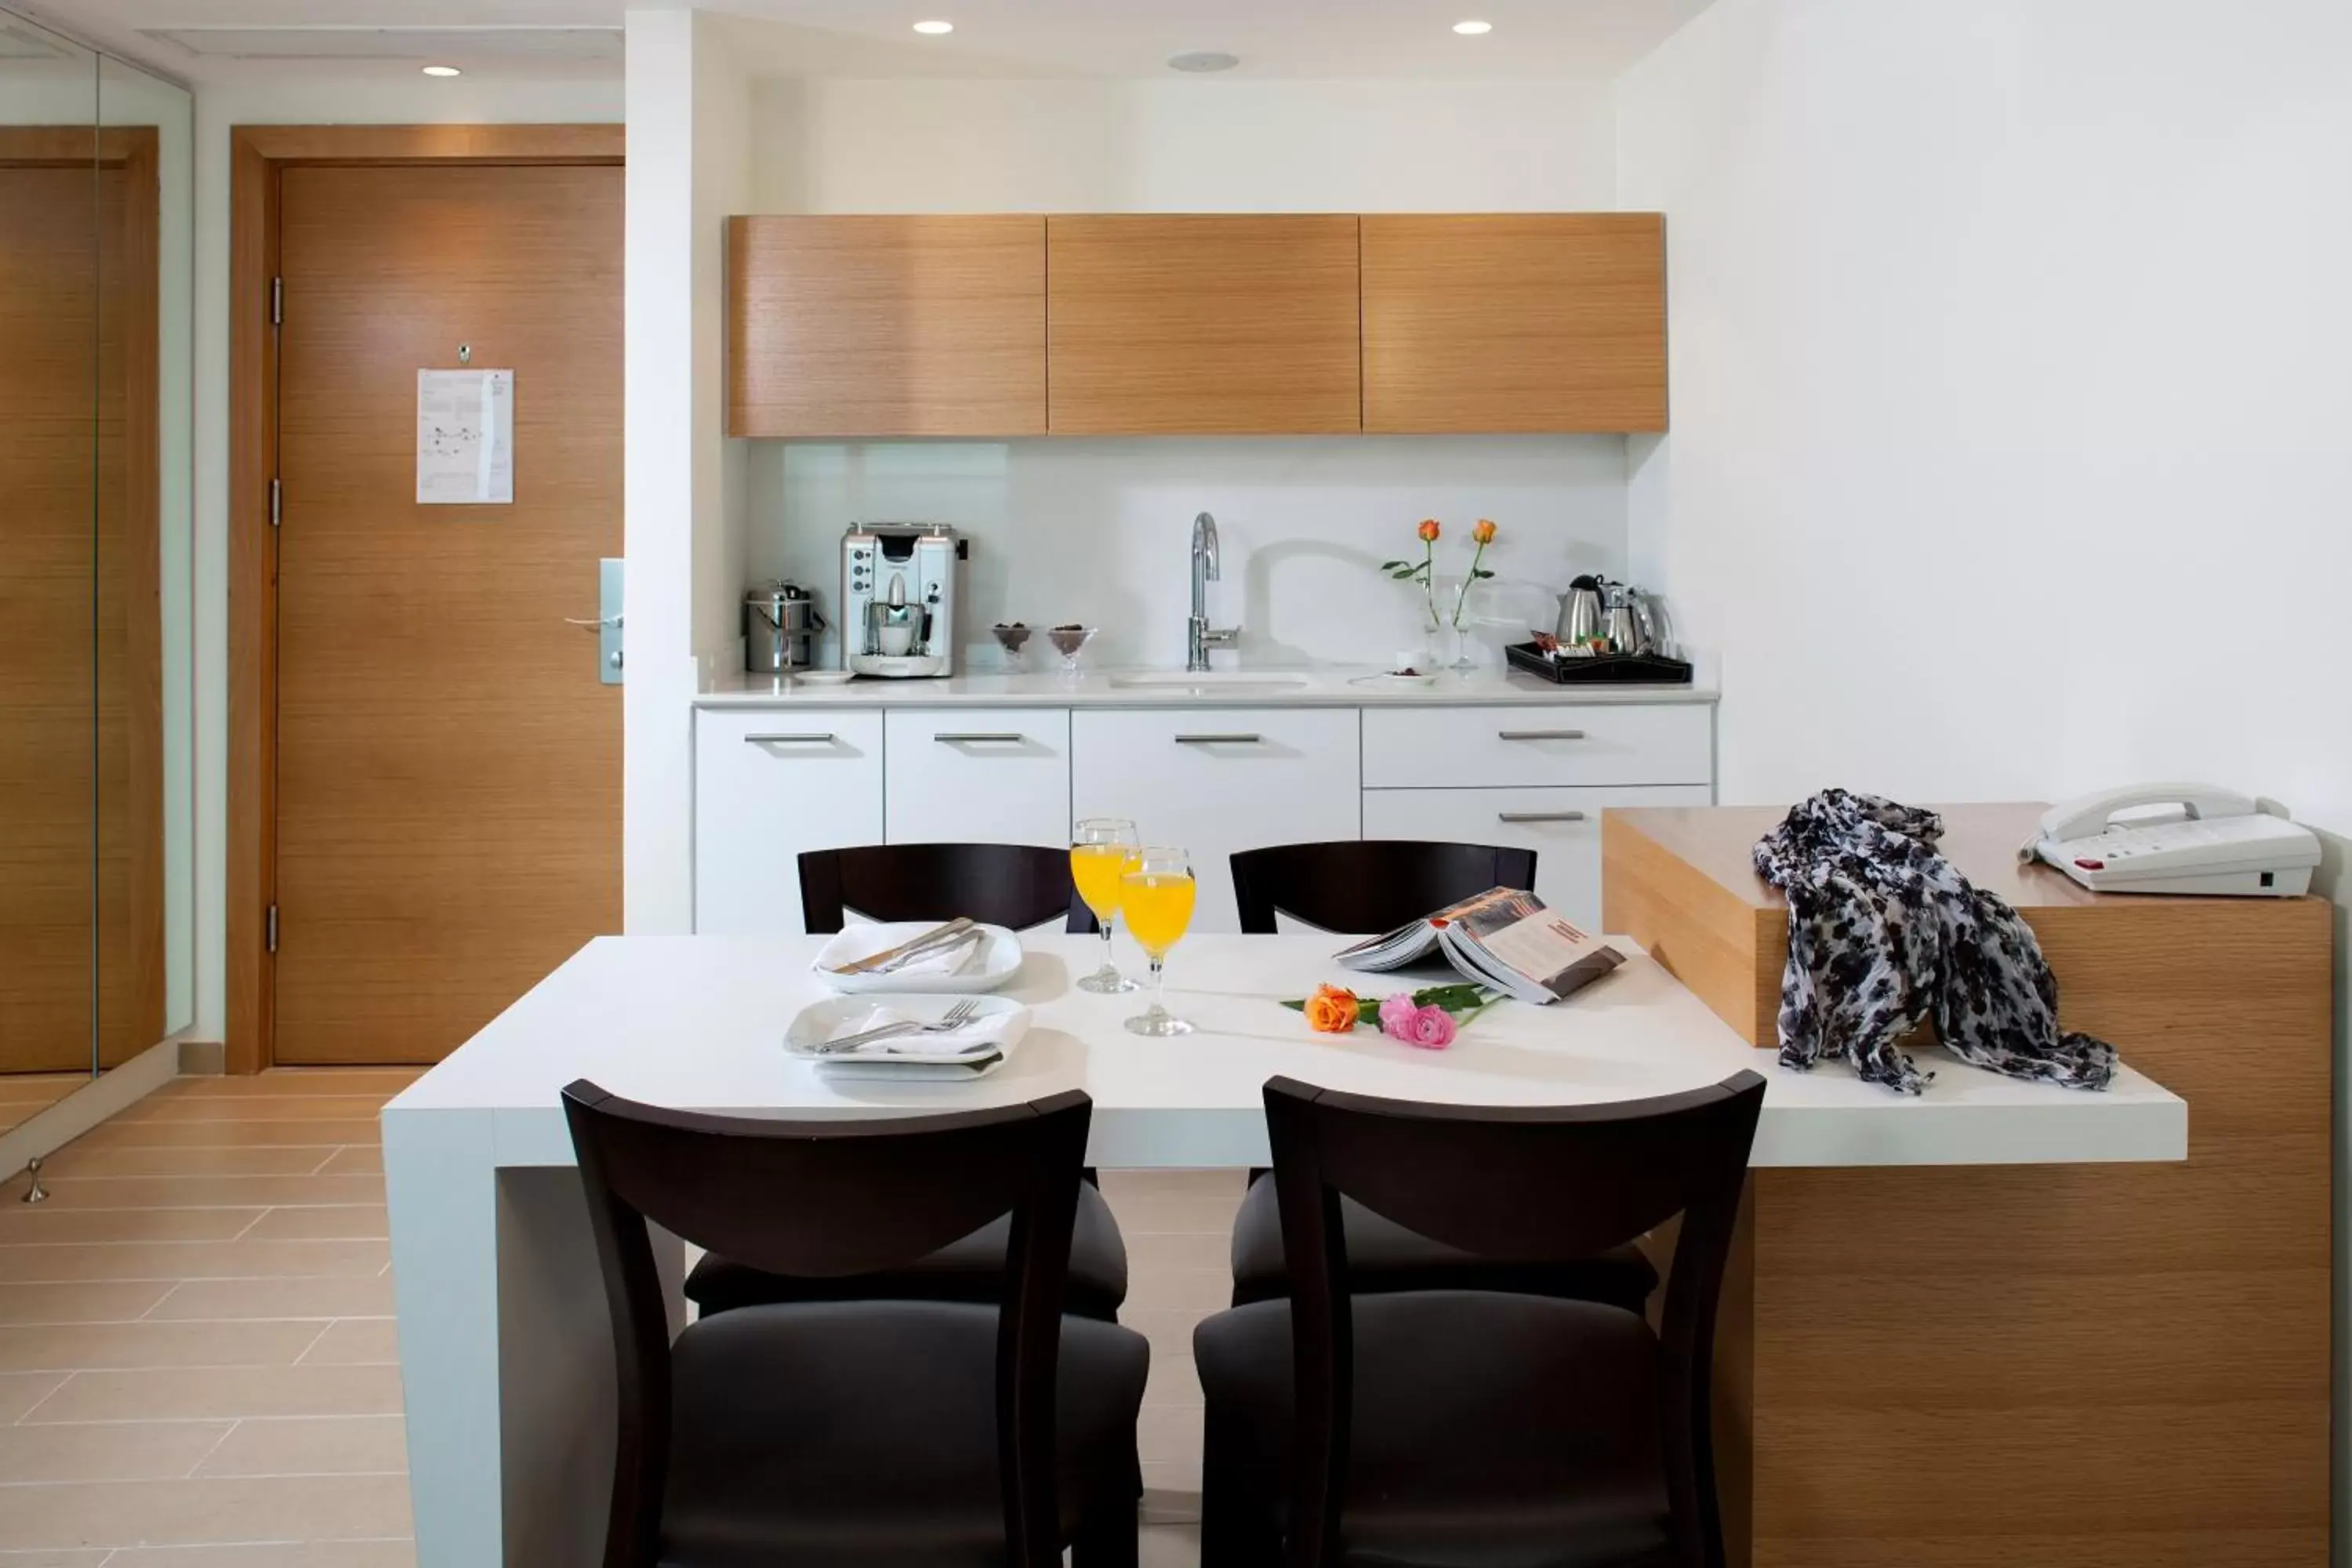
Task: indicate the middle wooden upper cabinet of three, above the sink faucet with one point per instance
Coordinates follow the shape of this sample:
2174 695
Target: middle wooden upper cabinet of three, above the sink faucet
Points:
1203 326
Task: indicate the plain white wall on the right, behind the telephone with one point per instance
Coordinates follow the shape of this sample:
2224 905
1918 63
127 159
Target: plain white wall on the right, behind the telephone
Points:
2010 394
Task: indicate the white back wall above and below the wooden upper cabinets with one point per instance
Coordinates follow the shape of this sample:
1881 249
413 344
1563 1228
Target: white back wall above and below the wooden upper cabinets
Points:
1095 530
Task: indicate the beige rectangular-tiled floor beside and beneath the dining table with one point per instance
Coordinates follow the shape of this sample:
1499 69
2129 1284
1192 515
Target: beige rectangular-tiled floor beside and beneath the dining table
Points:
196 1336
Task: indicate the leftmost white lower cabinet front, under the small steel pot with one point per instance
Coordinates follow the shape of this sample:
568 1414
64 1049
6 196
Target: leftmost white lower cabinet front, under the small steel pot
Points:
766 789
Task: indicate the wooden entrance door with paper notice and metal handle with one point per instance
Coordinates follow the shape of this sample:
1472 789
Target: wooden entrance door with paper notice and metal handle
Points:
448 763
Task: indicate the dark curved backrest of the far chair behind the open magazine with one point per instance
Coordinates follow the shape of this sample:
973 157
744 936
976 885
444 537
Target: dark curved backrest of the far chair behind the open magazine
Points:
1368 885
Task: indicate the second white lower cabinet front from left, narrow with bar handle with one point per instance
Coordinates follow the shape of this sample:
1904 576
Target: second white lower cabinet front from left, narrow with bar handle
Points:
980 777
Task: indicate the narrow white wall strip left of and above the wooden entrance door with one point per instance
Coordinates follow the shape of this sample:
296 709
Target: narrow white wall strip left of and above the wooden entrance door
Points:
474 100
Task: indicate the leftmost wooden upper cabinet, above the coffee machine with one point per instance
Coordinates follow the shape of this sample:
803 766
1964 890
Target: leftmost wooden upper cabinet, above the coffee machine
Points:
886 326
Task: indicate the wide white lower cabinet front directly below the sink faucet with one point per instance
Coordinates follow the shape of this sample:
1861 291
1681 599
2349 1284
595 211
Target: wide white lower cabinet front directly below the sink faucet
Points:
1220 779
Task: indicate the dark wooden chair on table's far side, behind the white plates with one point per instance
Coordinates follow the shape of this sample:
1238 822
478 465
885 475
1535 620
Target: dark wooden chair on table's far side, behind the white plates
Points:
1005 885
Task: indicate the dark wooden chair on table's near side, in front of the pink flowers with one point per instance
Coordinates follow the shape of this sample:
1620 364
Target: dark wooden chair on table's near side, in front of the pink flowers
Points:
1471 1428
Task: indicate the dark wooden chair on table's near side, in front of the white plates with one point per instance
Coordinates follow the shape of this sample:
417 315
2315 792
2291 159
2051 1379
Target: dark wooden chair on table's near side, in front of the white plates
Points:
874 1433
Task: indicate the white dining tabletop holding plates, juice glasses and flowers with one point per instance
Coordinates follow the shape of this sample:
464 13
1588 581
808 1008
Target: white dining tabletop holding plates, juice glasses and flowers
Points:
697 1024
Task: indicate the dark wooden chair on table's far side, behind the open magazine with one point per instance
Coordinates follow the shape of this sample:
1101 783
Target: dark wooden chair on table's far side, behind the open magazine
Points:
1377 885
